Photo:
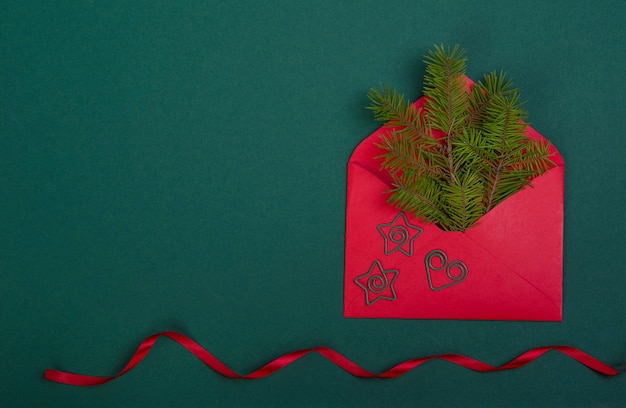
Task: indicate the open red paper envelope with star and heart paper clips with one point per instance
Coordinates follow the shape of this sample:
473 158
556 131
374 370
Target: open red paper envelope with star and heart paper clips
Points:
508 266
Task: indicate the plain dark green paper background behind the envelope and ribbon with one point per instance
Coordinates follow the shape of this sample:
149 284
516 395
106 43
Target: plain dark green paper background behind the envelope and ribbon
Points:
181 166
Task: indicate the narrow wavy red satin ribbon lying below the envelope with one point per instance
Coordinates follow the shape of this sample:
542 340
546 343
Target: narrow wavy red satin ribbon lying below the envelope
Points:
341 361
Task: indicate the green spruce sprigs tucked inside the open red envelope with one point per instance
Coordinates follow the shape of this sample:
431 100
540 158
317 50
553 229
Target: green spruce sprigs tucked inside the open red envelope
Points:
465 151
